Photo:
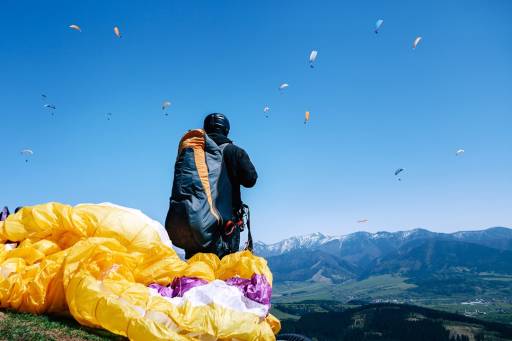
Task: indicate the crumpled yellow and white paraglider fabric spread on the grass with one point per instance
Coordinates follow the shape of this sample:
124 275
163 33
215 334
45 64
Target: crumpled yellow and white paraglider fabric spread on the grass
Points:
96 261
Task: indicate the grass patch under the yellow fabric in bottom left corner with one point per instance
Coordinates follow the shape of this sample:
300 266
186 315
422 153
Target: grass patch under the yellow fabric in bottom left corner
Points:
23 326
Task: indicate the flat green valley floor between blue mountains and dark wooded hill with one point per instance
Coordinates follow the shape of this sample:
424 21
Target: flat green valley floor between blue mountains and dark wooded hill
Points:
489 304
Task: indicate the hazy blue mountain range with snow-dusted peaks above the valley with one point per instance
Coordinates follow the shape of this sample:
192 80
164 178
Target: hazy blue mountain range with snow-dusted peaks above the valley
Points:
418 253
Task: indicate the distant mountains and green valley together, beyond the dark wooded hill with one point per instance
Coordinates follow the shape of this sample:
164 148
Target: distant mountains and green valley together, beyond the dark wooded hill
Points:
468 273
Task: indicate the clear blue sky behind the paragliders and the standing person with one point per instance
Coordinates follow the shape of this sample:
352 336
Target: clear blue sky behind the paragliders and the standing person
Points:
376 105
